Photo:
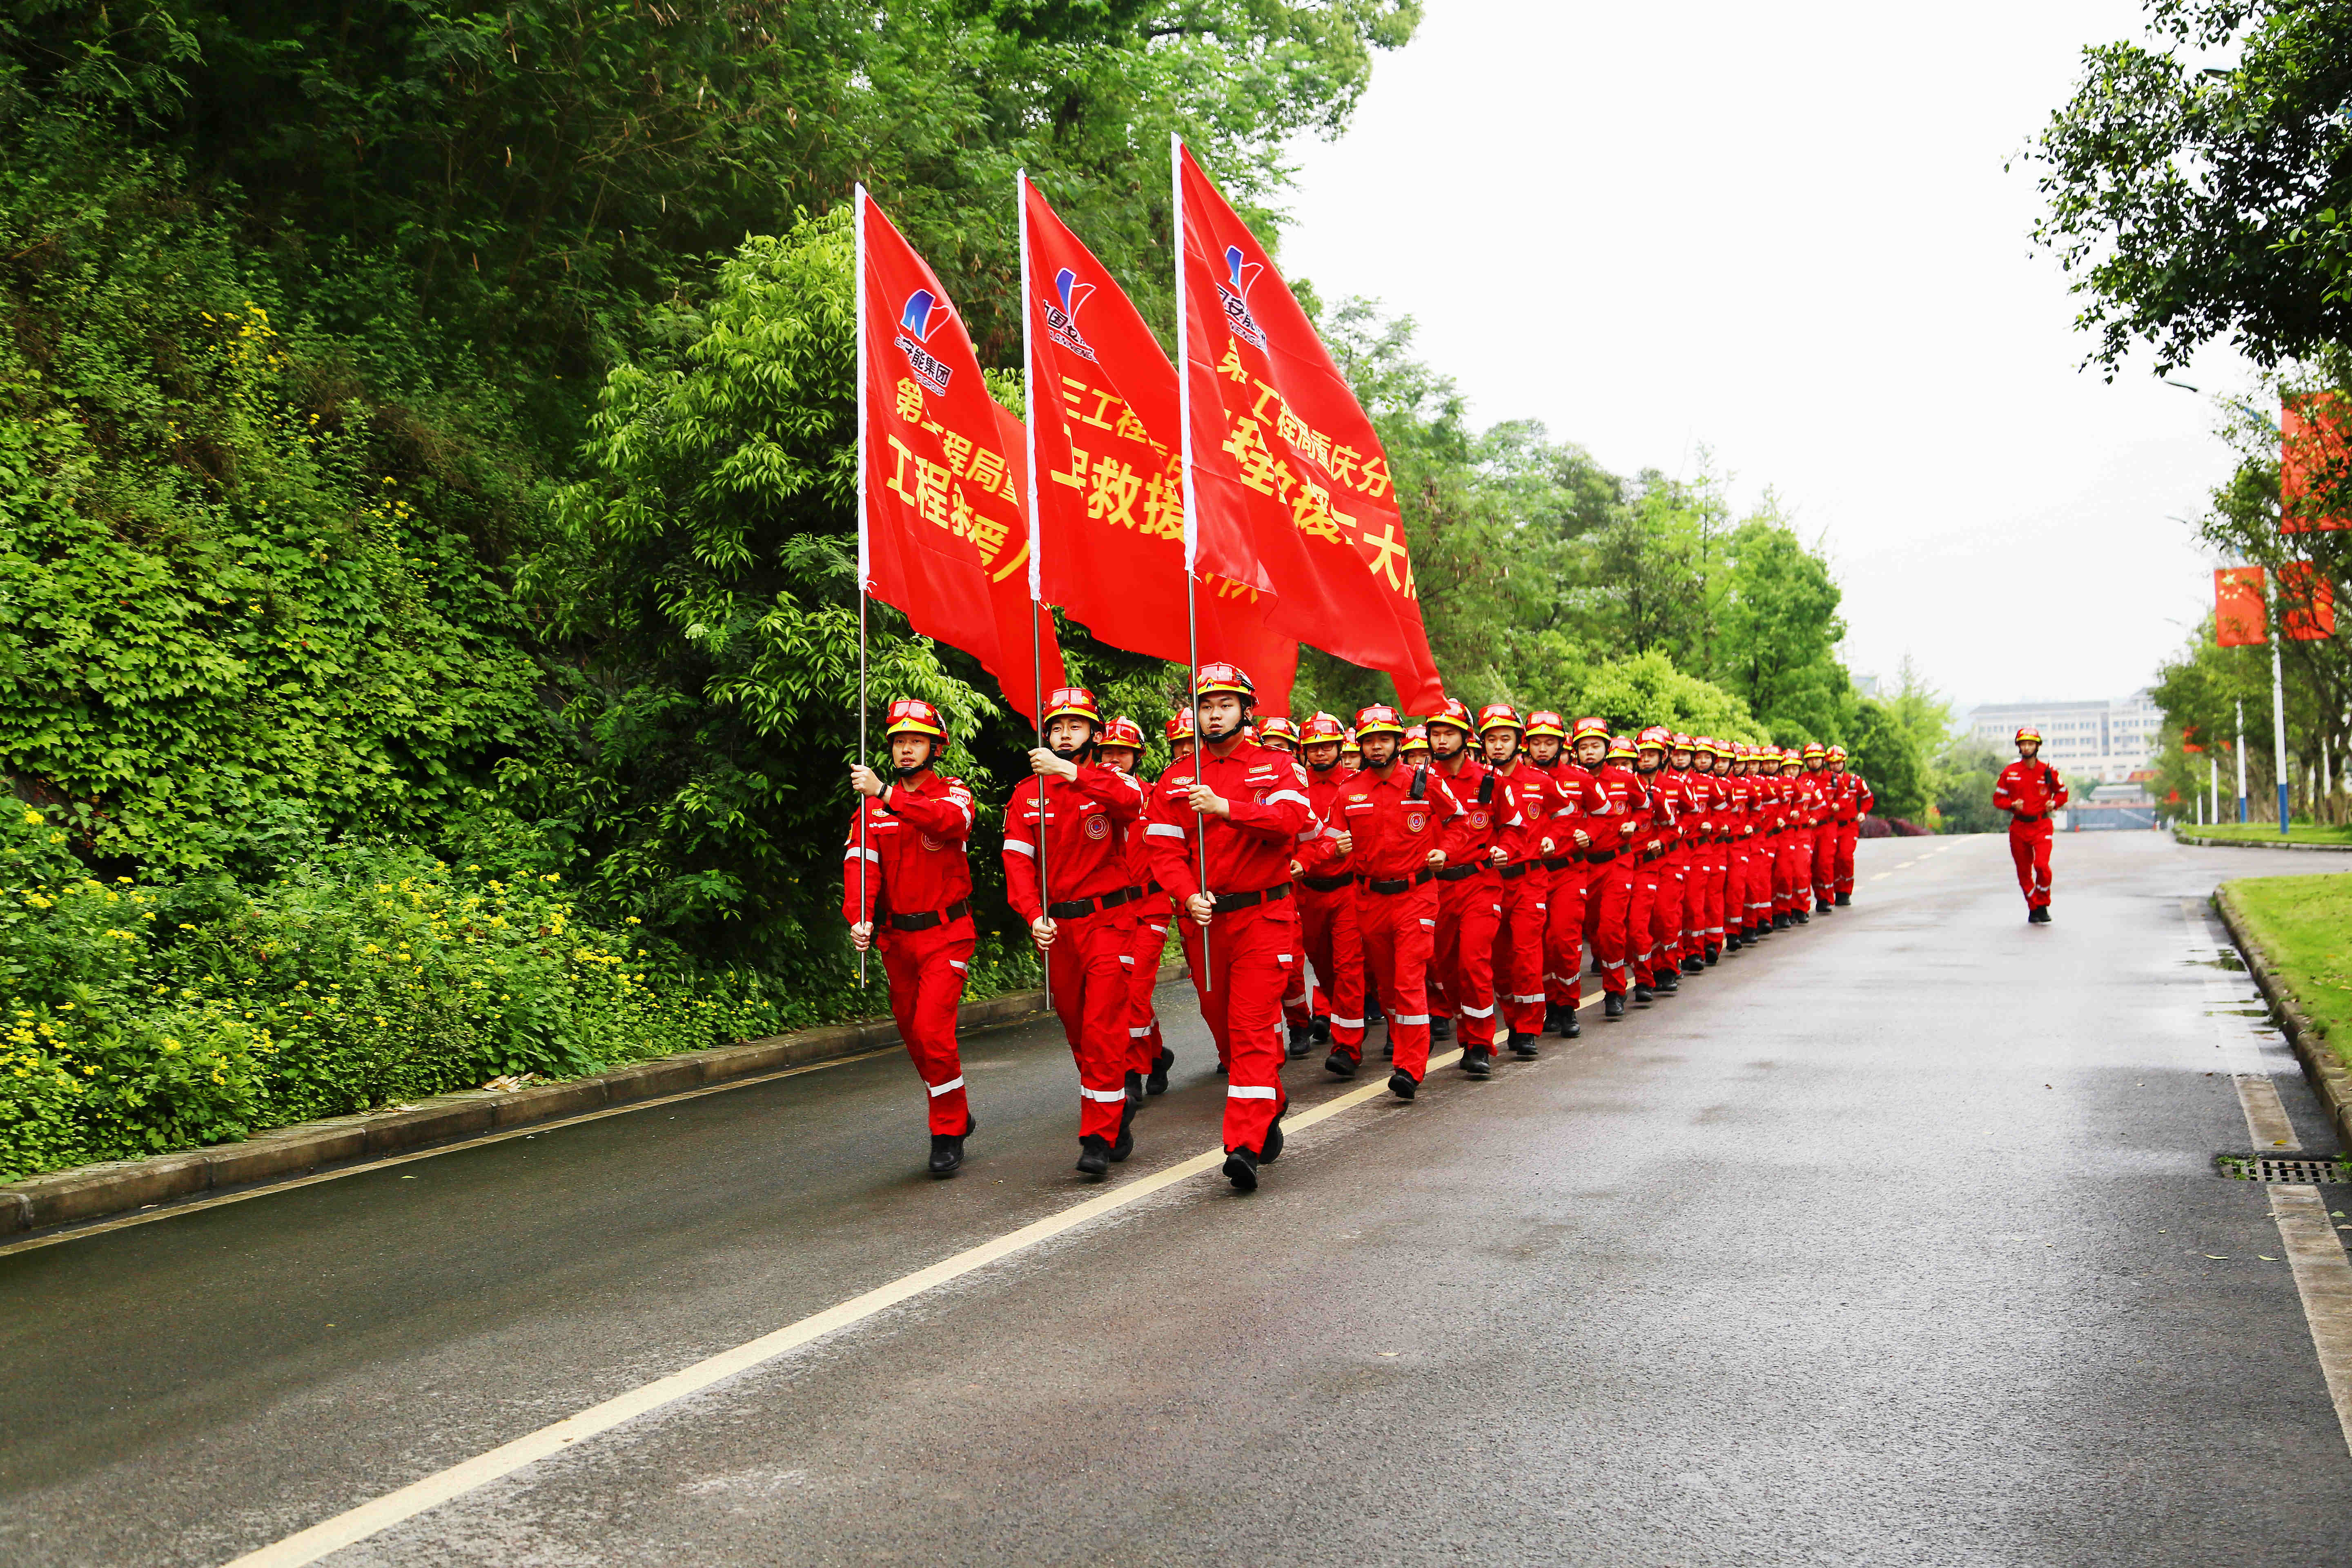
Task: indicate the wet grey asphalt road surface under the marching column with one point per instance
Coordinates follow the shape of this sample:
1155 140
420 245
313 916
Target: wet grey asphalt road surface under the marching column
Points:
1897 1242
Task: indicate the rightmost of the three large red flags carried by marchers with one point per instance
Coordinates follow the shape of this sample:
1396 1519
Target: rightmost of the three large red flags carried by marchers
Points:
1290 488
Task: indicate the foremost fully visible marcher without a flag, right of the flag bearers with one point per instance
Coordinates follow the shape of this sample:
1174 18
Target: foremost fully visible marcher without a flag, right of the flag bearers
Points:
1396 826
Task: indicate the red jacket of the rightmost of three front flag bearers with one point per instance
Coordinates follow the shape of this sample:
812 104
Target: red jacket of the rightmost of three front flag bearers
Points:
1248 852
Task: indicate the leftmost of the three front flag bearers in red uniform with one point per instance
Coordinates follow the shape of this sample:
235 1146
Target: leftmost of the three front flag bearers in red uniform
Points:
907 890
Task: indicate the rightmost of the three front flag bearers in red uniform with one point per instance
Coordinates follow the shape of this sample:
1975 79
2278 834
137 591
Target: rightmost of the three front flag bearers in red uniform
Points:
1250 810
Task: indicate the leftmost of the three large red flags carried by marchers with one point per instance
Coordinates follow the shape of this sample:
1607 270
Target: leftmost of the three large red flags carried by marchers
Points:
944 532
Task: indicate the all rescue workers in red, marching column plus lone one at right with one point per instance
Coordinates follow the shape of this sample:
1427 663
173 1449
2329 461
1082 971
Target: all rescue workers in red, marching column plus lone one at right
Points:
1323 878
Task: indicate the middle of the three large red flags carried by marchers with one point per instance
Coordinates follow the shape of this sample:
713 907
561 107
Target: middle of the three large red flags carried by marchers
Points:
1107 478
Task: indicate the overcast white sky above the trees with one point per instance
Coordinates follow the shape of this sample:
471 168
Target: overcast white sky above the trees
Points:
1784 234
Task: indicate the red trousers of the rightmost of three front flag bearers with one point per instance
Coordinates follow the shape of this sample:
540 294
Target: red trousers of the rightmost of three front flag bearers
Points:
1255 965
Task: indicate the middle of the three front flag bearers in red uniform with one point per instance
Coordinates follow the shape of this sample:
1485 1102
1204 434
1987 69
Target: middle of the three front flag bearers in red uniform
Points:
1067 876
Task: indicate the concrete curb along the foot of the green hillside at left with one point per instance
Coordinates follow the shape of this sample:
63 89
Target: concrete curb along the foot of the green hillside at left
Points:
93 1193
